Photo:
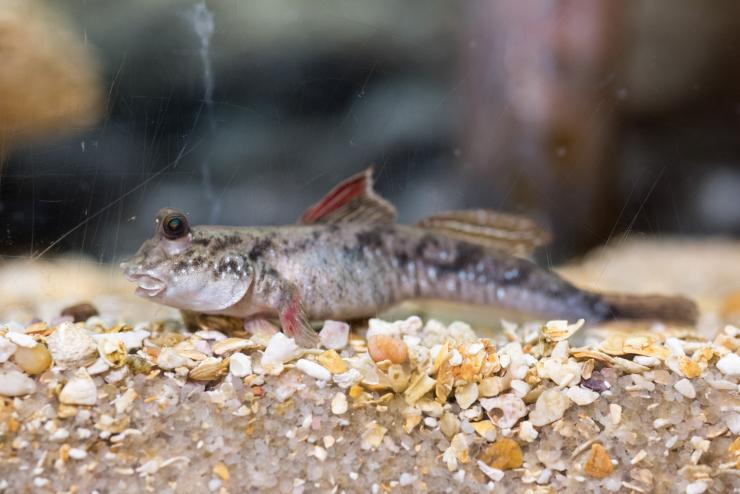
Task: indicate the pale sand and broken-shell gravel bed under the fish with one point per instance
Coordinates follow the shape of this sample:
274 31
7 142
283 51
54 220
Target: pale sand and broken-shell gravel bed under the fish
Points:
130 401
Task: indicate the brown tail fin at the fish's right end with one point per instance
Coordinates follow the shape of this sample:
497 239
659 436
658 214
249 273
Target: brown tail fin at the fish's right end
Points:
667 308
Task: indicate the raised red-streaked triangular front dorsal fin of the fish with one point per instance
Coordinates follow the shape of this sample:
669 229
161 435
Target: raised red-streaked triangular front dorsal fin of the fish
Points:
352 201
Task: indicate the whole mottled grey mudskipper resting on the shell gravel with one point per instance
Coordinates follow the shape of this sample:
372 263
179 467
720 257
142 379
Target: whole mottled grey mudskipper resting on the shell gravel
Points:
347 258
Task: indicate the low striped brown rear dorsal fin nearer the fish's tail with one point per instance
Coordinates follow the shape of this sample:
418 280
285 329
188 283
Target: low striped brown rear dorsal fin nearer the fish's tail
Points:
515 234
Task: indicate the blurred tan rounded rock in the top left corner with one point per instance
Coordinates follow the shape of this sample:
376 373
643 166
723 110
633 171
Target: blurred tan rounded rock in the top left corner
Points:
49 84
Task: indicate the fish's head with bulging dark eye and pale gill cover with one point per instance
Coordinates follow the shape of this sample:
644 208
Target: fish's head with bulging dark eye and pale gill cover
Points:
175 268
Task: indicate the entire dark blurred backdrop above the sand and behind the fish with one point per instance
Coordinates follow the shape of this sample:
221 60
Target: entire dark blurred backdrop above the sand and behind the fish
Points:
599 118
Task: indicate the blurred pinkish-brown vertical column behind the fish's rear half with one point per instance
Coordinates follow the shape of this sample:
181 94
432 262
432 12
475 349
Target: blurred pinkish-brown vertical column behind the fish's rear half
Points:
539 80
